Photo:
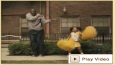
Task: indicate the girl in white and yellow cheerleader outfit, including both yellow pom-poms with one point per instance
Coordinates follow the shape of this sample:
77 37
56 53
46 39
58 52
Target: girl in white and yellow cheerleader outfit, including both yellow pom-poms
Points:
73 40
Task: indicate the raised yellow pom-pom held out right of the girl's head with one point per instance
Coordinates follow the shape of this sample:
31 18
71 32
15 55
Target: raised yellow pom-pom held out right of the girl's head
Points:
89 33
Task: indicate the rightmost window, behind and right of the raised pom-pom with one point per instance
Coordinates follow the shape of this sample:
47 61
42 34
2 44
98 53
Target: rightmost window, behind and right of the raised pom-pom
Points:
101 23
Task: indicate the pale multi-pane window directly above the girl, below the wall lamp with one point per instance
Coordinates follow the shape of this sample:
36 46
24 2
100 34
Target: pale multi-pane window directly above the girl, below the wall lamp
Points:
67 23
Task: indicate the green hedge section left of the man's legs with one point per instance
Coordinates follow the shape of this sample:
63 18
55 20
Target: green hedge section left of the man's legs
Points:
19 48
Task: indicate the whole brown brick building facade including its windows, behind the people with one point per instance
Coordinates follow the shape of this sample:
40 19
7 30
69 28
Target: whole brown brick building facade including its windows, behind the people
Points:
68 14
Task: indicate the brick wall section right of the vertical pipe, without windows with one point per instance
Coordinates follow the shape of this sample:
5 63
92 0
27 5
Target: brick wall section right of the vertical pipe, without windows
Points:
82 8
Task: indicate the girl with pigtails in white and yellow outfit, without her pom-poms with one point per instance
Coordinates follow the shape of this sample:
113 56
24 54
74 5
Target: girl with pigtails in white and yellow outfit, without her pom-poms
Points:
74 36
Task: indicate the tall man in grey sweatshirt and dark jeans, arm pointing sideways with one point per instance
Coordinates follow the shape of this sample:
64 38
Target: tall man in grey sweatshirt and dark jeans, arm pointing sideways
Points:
36 32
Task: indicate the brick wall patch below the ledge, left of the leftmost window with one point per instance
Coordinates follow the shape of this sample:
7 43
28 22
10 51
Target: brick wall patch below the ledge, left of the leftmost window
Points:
10 24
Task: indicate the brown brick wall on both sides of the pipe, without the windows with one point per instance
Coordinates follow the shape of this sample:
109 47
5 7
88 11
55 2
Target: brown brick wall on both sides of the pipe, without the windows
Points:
12 11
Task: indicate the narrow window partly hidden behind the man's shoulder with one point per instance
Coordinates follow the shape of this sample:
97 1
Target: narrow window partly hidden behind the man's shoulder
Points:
24 27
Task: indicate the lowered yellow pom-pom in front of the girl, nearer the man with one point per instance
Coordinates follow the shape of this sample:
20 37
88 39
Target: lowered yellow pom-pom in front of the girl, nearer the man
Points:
66 45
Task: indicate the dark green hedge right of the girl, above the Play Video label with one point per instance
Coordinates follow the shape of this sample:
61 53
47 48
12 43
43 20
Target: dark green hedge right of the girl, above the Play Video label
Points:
94 48
